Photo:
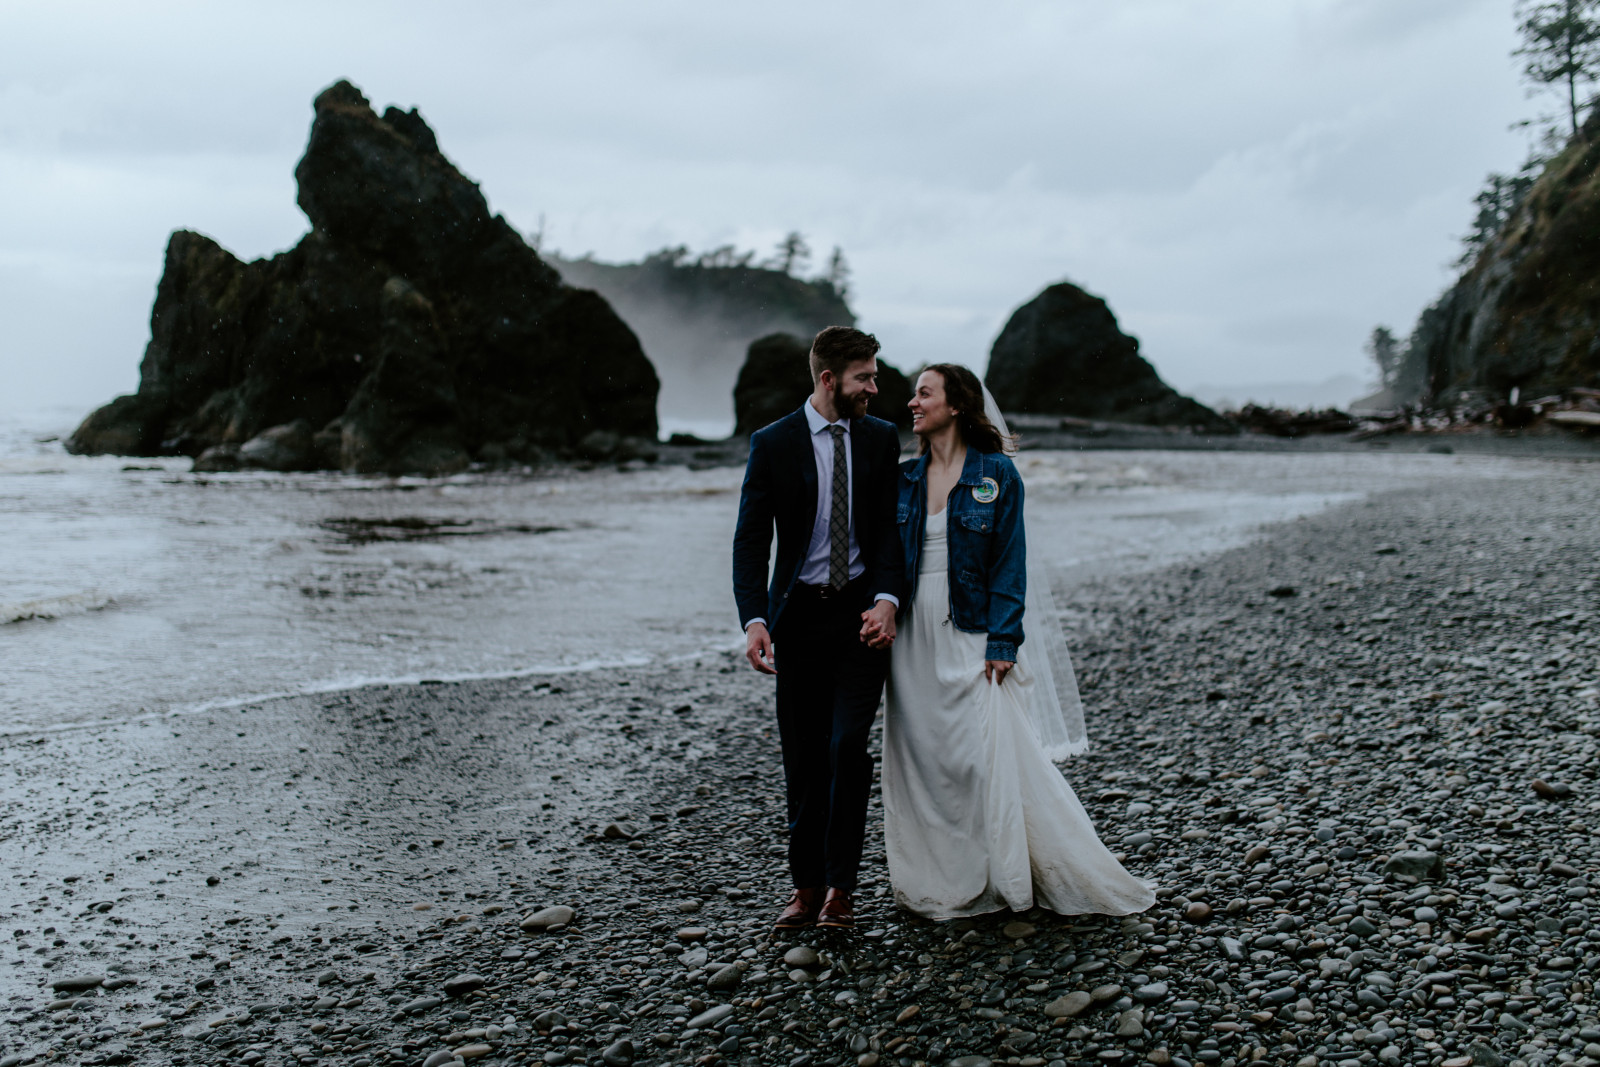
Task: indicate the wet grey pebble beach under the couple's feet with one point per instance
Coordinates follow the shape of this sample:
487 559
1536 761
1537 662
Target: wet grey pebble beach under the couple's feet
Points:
1354 756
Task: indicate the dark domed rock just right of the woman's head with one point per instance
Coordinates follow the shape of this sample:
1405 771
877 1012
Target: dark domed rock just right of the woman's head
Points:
1065 354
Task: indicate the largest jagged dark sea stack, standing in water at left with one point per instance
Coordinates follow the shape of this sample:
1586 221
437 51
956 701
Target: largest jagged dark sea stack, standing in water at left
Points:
409 332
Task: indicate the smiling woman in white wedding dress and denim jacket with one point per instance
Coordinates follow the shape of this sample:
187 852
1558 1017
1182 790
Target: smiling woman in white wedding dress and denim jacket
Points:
977 817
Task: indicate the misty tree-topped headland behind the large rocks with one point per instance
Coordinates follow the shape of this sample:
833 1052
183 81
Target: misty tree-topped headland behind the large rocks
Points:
698 318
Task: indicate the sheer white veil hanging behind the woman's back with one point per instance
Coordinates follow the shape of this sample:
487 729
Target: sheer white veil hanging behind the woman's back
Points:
1057 713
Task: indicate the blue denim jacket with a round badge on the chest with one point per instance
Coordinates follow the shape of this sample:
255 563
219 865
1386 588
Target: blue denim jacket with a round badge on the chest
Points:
986 541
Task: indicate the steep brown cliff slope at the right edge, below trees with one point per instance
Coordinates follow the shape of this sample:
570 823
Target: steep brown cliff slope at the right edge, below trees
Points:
1527 313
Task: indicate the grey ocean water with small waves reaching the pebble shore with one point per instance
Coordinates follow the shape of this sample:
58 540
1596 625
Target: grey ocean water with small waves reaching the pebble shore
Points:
135 588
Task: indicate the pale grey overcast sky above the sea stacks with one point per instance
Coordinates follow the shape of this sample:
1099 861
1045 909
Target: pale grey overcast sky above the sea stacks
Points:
1252 185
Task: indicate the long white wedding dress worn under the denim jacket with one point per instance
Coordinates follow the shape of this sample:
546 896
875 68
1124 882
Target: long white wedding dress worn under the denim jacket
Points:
975 815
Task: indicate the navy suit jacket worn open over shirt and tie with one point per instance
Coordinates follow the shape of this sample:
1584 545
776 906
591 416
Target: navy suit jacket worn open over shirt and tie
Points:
780 494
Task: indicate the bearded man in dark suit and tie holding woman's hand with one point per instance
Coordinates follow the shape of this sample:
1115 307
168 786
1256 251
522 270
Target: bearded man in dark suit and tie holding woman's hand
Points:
826 479
